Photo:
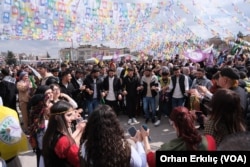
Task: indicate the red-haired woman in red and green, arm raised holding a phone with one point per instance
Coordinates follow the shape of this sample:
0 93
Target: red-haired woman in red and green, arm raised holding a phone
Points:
188 137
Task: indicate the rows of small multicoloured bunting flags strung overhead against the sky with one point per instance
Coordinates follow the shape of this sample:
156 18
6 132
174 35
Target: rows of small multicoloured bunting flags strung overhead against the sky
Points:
133 25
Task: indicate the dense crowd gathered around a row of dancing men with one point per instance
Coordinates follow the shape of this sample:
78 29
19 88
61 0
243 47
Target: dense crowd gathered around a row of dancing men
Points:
63 105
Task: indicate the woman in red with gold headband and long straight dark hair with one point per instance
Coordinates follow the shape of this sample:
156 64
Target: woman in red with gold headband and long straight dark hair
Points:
60 146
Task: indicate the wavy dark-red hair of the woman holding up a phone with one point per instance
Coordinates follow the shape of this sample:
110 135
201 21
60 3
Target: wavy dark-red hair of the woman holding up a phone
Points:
184 122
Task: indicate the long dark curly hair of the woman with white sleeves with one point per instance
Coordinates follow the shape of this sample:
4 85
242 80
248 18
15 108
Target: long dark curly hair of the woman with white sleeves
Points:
104 138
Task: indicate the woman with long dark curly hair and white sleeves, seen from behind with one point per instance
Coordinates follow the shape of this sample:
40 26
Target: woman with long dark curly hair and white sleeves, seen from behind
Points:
107 146
